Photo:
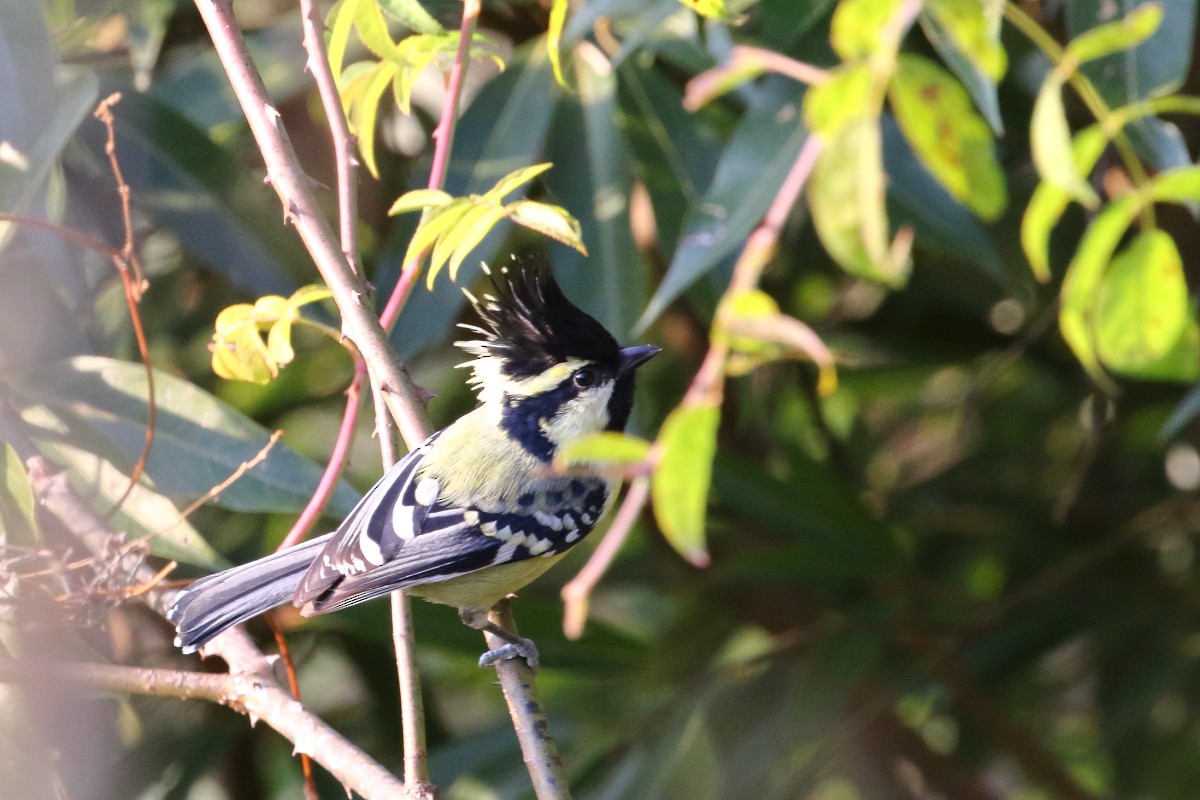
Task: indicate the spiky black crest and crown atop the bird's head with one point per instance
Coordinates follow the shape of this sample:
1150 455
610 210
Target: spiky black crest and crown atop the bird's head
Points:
533 326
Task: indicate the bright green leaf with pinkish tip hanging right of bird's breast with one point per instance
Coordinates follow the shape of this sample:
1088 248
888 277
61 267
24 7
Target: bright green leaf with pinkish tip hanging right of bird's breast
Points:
681 483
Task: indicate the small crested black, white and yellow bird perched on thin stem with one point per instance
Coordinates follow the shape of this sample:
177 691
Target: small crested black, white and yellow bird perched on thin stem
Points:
476 513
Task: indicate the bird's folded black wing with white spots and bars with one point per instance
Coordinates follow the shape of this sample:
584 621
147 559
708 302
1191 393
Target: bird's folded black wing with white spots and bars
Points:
403 536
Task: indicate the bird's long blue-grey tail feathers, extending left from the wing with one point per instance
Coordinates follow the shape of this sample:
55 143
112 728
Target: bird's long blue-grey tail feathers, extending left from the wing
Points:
220 601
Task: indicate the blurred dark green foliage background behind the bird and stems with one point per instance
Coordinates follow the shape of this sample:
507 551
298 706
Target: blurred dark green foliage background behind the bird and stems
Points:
970 573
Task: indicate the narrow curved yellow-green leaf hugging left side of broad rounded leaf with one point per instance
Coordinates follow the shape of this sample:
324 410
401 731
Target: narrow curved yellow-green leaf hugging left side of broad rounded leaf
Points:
1084 275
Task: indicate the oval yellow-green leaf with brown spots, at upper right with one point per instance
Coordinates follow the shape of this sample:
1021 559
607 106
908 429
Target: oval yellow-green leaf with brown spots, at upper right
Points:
945 131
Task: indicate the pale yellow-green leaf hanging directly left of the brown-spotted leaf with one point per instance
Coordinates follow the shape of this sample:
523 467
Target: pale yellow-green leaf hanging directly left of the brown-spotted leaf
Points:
847 202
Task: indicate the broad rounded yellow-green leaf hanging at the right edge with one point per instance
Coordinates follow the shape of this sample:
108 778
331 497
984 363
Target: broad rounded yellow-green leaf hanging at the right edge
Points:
1143 309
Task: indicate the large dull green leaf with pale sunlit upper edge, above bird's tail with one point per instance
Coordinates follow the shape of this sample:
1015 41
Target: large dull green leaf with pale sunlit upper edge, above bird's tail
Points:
200 442
